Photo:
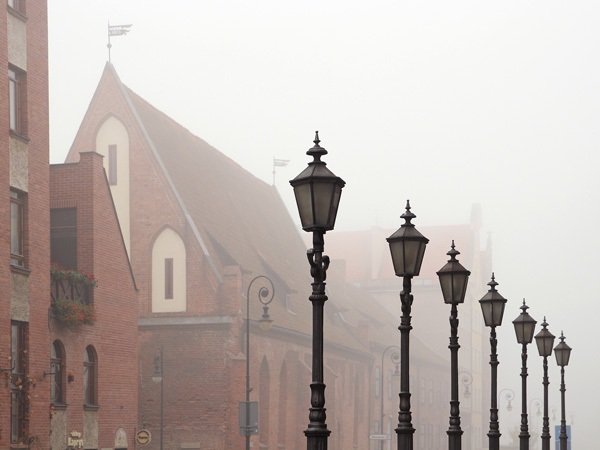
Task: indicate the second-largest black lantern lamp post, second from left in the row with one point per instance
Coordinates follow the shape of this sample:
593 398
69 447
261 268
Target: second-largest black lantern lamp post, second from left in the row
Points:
407 247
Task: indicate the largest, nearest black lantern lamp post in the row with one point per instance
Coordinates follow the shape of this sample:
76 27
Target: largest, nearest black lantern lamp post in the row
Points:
317 191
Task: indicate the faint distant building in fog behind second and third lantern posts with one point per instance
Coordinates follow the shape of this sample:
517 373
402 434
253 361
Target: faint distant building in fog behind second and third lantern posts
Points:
368 265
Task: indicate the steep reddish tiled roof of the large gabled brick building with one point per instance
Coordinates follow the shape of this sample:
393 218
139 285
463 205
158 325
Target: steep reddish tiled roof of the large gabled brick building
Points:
241 220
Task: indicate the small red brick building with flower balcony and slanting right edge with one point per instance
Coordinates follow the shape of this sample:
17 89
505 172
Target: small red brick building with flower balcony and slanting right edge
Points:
93 314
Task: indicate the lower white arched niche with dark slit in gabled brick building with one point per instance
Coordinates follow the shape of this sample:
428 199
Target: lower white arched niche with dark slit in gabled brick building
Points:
168 273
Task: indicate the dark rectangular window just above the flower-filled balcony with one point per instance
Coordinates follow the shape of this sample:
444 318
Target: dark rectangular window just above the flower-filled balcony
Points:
63 237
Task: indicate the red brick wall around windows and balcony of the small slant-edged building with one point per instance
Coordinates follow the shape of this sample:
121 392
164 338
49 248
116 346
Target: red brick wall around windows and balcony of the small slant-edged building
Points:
101 252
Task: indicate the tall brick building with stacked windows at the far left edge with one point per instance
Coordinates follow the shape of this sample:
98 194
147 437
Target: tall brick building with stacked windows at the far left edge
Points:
24 247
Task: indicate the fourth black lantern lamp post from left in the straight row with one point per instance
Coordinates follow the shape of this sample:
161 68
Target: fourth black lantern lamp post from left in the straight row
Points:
492 307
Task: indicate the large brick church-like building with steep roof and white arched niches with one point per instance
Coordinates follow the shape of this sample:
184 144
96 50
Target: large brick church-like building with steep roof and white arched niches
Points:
198 228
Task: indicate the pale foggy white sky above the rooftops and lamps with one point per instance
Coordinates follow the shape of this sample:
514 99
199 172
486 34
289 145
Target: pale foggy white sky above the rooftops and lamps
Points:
445 103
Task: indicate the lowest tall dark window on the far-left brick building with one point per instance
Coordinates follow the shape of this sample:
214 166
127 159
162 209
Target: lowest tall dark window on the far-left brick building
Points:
18 383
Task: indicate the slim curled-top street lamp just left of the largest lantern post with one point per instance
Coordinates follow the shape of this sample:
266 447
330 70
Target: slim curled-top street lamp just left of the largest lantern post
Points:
265 296
